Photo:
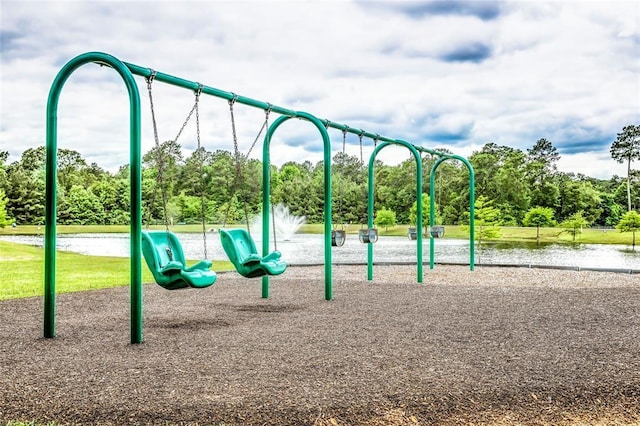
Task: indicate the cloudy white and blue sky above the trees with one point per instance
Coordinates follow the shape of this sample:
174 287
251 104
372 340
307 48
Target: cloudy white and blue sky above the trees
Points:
439 74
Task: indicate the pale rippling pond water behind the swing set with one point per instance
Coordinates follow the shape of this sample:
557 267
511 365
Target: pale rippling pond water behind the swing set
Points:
309 249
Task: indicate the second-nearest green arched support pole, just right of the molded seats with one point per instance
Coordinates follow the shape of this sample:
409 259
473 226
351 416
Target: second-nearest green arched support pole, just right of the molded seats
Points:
266 198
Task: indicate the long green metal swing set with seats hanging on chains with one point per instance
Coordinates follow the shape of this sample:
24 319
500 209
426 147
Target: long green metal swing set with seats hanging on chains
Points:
161 249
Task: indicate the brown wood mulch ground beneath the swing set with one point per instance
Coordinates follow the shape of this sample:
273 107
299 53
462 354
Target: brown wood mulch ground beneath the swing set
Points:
491 346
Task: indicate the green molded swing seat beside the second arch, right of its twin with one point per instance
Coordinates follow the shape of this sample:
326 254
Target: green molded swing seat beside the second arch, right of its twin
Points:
242 252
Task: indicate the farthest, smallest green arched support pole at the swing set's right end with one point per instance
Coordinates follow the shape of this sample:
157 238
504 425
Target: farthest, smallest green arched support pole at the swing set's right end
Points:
432 214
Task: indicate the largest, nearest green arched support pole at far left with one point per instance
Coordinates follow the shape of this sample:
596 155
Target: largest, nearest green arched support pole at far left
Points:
51 191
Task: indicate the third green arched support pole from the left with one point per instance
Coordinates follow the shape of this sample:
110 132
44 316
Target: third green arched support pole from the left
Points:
370 203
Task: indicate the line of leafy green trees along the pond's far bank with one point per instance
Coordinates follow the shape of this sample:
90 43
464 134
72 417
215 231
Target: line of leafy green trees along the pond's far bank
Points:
226 188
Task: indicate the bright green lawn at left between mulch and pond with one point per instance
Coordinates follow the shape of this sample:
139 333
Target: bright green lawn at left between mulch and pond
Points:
22 270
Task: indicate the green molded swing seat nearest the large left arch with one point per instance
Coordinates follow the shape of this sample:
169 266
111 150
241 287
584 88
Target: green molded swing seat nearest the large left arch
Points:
164 256
